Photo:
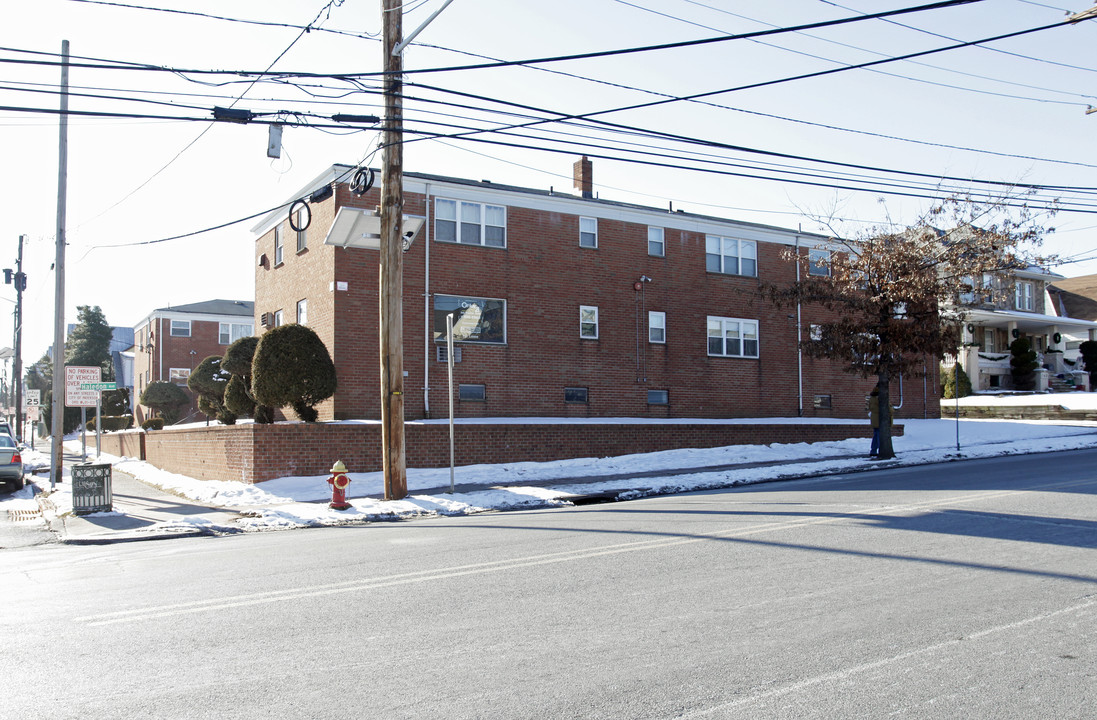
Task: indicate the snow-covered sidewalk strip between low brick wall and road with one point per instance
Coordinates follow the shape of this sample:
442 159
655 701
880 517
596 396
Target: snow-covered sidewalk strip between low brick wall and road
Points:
173 507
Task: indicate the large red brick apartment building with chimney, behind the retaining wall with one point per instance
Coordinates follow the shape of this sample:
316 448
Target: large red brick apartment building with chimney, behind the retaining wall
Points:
566 307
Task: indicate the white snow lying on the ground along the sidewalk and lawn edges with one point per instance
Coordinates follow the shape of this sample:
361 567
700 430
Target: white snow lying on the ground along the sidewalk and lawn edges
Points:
302 502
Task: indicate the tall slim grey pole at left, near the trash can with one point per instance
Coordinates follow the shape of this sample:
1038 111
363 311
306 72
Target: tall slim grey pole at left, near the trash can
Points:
58 425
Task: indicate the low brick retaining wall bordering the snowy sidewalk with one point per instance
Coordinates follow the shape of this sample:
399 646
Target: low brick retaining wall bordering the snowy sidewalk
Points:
253 454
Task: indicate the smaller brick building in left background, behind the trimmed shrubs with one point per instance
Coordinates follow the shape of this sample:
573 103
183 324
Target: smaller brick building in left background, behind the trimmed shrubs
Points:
172 342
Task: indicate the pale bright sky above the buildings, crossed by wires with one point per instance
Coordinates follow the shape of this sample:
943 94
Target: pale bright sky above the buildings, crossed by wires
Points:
1012 111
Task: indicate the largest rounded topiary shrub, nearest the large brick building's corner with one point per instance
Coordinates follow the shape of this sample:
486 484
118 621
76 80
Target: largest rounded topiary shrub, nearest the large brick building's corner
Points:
292 367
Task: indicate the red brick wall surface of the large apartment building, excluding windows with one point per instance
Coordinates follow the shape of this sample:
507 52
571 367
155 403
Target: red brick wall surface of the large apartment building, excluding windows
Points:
545 276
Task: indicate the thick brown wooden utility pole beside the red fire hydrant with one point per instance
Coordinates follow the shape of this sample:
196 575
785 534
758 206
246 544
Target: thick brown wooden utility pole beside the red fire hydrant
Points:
393 460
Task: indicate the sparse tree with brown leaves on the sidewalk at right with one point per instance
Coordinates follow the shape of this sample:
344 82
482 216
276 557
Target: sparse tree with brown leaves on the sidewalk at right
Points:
895 297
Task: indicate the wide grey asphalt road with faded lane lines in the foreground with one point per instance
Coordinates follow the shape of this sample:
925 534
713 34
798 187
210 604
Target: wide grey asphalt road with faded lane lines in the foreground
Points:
956 591
